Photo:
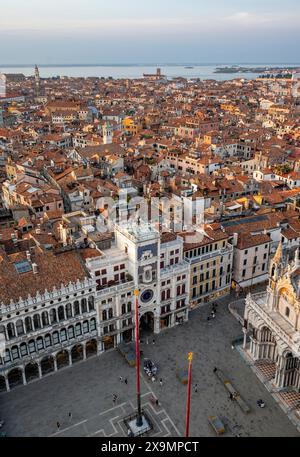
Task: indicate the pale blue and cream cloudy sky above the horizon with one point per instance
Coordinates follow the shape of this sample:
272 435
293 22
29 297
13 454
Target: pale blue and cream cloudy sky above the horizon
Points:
149 31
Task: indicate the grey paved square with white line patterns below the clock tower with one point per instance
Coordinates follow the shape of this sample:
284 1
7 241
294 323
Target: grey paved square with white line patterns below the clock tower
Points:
86 389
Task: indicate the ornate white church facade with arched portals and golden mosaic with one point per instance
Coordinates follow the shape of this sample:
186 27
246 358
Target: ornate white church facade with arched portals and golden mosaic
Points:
272 321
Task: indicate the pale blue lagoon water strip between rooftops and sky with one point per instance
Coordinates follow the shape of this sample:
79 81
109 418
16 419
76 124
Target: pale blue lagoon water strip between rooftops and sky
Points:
136 71
